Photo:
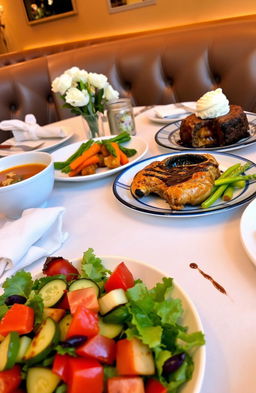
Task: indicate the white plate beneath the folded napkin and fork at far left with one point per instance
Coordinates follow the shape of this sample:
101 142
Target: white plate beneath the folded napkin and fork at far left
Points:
47 143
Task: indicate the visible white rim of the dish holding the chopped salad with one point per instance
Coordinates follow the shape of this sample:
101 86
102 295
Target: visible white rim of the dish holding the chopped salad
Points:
150 277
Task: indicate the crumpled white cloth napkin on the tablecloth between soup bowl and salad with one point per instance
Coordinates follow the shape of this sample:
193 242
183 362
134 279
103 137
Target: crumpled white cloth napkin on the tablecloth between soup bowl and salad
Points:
36 234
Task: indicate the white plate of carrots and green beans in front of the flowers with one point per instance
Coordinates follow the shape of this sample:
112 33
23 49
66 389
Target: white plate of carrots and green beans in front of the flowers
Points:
96 158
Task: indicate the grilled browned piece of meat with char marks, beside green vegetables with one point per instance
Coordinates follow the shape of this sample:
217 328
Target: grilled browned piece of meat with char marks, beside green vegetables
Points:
180 180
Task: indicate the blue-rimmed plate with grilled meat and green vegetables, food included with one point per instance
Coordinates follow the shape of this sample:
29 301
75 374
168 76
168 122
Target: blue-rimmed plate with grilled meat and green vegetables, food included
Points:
187 184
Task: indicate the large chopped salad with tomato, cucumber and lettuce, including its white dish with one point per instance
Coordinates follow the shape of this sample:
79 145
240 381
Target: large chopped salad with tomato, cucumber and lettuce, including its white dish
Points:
108 324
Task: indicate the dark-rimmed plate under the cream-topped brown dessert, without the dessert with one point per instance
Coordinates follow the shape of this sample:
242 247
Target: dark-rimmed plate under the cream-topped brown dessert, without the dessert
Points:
169 136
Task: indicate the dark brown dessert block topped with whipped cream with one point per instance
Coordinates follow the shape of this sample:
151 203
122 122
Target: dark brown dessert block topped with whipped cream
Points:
210 126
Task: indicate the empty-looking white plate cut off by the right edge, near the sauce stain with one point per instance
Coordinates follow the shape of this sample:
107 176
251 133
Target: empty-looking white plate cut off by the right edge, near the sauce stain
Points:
248 230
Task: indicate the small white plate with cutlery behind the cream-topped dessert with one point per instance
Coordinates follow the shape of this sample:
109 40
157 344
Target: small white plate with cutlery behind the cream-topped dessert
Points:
175 111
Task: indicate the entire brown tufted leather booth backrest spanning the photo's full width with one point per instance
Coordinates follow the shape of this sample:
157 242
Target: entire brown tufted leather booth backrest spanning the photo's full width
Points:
154 68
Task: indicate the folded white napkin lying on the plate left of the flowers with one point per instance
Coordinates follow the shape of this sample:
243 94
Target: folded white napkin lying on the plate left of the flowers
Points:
30 130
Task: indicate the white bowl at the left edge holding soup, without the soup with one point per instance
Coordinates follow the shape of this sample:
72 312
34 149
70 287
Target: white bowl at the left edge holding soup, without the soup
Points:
28 193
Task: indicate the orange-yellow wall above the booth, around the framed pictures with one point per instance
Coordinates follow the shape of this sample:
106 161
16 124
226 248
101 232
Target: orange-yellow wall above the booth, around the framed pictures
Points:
93 20
